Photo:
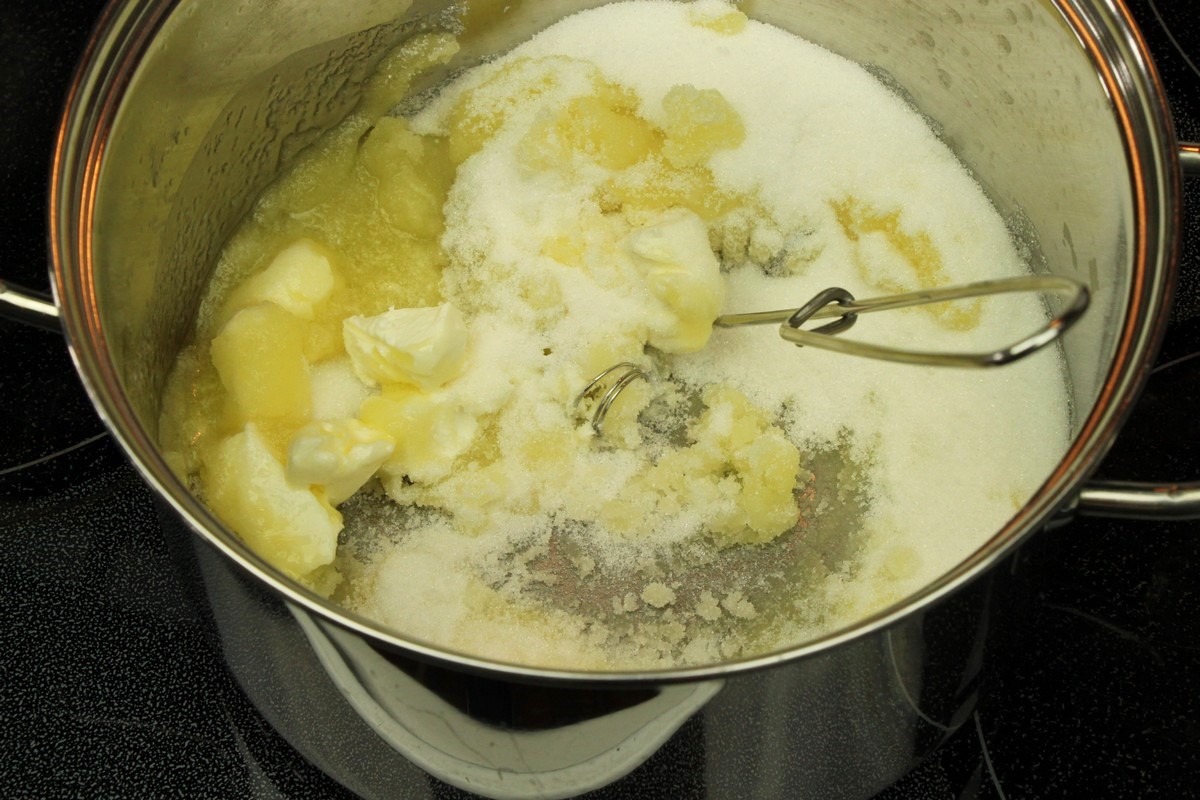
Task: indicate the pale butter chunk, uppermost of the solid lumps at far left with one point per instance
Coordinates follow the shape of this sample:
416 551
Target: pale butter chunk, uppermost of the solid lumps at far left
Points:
298 280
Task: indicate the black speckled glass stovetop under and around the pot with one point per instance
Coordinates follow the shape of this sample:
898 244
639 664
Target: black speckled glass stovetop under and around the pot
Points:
112 687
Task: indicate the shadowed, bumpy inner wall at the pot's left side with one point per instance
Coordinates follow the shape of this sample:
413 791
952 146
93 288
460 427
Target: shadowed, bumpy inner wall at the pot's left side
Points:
223 101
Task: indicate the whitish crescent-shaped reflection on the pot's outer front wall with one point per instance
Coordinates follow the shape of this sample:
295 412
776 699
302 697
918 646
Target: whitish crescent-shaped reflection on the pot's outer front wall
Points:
497 738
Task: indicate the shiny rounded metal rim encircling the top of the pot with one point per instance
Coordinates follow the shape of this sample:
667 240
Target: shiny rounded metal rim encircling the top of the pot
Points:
1125 69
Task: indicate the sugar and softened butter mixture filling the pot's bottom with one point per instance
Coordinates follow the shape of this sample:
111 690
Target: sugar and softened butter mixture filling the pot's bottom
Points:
622 179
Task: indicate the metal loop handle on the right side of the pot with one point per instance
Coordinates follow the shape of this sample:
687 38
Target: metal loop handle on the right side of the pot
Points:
1137 501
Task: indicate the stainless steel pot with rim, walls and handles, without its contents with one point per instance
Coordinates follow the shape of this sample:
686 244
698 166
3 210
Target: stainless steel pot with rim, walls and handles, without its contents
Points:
183 111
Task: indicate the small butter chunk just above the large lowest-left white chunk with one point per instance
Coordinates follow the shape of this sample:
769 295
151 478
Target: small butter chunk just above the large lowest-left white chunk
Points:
338 455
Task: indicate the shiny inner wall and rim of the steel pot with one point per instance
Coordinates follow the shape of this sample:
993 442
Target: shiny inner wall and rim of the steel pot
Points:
1065 129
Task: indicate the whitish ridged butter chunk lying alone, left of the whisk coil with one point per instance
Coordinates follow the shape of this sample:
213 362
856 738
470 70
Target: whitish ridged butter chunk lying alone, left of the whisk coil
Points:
422 347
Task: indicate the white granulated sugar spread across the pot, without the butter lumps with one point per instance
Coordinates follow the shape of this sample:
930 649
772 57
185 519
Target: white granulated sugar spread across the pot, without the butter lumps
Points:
933 462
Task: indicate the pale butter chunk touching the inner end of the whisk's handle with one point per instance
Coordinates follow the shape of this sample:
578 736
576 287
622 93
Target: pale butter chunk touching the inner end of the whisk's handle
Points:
675 257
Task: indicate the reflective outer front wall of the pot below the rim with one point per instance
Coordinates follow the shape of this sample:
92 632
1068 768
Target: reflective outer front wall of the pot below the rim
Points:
844 725
